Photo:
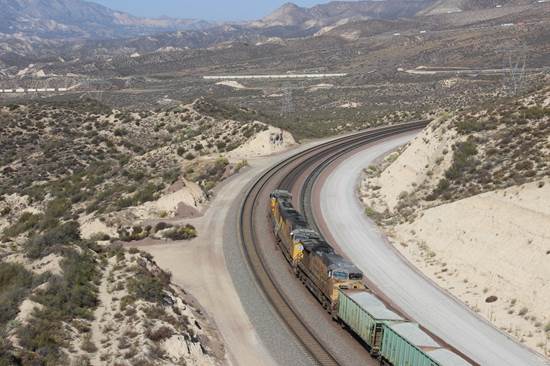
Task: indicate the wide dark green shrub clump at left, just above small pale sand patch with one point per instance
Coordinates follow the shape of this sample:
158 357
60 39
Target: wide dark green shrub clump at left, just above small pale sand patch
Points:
40 244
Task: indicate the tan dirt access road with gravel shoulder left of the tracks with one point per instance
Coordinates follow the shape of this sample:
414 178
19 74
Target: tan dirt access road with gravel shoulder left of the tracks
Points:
213 269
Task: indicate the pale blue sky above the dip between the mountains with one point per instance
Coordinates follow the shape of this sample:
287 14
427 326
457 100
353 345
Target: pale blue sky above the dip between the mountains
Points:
227 10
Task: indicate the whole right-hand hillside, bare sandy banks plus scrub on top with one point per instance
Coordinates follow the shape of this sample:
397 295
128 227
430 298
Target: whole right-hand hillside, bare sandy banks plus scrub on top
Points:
466 202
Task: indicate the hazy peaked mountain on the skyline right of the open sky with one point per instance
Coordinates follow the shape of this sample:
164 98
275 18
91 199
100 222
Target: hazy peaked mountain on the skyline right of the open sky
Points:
339 12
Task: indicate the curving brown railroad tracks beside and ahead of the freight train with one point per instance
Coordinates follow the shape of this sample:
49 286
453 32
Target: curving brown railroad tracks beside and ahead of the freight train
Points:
285 175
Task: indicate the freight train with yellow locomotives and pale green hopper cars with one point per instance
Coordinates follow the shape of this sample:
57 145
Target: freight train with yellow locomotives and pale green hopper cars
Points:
338 286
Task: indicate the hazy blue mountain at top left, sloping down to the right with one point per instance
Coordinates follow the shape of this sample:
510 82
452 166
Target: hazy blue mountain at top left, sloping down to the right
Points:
77 19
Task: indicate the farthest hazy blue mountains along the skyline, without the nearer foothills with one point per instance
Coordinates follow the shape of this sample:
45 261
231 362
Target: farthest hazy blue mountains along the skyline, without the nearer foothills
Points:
84 20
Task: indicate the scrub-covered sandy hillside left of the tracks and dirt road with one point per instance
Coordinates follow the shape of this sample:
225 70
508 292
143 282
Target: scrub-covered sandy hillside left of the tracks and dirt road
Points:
79 180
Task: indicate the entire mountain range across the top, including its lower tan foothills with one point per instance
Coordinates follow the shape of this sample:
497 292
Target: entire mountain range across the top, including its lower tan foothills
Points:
44 30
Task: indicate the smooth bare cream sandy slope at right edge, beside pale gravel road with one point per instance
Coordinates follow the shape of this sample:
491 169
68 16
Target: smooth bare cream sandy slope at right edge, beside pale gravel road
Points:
493 244
